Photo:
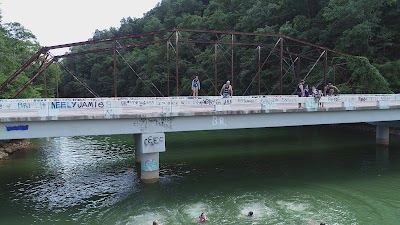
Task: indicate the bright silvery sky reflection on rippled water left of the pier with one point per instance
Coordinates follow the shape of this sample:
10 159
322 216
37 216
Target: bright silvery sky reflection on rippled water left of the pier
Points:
81 173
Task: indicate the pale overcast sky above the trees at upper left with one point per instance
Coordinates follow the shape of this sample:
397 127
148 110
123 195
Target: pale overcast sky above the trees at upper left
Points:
64 21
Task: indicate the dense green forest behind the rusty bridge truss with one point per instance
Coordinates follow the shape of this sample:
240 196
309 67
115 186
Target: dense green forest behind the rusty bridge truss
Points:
367 30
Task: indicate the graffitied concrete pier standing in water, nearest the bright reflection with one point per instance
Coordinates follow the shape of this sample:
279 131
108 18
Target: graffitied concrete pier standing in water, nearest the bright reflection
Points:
148 146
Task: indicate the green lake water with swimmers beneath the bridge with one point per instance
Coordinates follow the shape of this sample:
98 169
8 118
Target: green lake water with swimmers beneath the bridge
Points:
294 175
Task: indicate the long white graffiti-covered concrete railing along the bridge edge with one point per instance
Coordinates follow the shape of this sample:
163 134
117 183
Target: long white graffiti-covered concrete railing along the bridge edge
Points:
144 105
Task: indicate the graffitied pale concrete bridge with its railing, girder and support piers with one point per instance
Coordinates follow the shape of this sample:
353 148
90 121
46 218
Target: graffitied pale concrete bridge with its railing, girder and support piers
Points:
149 118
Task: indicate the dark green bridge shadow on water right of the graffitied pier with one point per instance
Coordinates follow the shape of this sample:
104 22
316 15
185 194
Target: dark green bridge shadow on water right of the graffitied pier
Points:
305 154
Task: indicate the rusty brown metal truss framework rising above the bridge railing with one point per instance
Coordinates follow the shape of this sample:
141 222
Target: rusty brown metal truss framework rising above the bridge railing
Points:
283 46
